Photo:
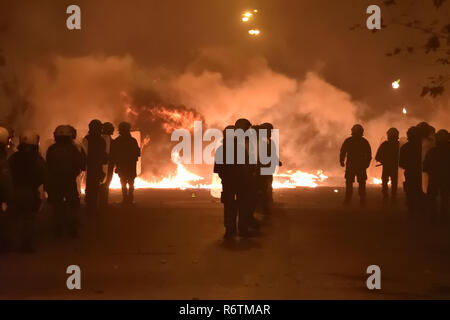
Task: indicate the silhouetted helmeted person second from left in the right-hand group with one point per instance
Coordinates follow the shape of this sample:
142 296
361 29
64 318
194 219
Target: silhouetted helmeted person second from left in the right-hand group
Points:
388 155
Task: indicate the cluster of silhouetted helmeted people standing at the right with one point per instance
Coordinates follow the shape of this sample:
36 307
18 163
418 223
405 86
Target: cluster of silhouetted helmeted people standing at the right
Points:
426 151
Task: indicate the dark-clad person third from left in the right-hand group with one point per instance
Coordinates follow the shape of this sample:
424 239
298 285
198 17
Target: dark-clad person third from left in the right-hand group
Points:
411 161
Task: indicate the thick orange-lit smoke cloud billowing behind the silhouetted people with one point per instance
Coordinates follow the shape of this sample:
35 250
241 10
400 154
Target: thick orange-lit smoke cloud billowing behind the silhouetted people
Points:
313 116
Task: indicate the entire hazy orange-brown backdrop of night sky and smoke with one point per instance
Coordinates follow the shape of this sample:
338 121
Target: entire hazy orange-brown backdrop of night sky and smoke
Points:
163 64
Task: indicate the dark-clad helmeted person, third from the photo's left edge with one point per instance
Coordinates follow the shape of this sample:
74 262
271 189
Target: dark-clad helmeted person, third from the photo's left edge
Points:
64 163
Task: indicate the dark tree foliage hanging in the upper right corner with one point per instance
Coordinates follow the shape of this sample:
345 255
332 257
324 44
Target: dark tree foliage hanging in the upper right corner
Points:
436 46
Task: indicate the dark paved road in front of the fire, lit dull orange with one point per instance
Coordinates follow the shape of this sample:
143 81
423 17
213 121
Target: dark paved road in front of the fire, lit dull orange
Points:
170 247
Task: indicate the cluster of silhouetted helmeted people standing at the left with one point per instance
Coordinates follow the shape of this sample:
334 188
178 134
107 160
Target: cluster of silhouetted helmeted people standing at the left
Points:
25 175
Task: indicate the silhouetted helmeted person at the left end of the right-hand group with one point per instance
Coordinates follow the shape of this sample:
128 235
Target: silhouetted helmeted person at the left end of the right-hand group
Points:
357 151
